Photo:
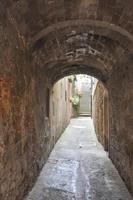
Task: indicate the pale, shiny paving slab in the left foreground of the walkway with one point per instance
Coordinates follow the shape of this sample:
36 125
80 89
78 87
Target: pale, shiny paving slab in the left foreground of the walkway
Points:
60 174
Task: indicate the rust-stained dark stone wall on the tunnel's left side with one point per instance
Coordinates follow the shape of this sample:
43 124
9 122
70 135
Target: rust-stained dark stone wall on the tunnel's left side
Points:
25 132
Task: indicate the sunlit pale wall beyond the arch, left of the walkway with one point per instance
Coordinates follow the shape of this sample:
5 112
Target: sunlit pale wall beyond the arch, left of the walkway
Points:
60 106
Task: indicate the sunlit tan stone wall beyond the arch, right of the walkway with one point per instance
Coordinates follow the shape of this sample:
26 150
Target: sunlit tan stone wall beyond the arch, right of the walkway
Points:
100 114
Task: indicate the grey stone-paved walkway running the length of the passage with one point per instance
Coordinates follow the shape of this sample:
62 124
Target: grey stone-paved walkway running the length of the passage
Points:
79 169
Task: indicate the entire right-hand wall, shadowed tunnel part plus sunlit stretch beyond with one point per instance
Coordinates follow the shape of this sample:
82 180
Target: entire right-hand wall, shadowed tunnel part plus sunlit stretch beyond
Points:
118 109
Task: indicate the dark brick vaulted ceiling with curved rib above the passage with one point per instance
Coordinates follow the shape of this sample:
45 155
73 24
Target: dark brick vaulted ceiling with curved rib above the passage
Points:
75 36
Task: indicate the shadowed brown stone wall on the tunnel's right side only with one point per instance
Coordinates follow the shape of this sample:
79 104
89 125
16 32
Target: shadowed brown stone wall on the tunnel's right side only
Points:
121 121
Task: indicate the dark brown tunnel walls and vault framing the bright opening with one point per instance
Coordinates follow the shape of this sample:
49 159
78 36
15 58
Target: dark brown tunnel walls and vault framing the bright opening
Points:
43 41
